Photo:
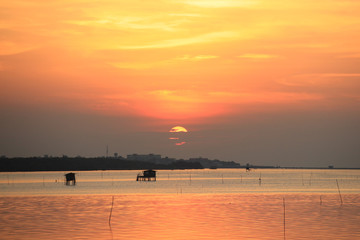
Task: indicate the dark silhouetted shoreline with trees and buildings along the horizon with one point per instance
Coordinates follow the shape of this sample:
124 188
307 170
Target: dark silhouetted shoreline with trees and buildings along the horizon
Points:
34 164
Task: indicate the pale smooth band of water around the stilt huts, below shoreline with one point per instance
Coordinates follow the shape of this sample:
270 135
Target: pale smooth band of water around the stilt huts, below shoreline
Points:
186 181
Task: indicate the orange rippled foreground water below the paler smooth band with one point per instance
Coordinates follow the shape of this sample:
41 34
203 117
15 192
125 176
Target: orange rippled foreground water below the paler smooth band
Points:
192 216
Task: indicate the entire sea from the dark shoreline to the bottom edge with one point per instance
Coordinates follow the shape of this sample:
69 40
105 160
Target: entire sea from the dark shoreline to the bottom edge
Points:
182 205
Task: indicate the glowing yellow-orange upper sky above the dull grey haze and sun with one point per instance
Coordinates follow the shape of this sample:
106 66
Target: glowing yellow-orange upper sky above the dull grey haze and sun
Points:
180 60
